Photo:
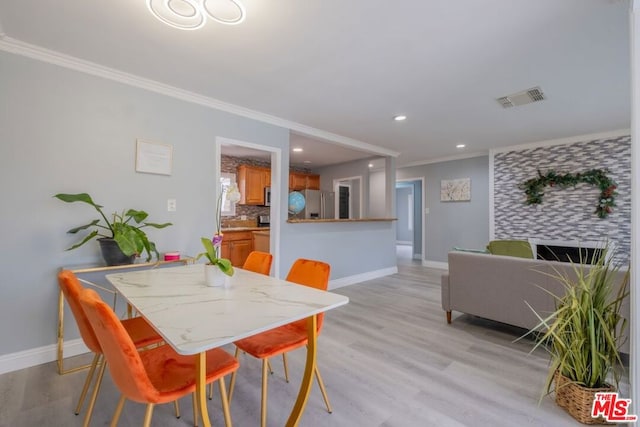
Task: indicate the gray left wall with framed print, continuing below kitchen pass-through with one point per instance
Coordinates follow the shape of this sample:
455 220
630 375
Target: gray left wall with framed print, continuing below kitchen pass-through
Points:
66 131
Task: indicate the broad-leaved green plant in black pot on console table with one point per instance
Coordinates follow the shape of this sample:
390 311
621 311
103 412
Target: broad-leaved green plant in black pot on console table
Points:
121 238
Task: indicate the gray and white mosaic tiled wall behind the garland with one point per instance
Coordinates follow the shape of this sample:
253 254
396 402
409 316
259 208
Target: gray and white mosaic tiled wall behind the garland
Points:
565 214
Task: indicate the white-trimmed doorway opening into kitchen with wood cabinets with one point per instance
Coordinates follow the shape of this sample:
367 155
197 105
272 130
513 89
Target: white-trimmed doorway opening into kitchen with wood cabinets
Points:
234 157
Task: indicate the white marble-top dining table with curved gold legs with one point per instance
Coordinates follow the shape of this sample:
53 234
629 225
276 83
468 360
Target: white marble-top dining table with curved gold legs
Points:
193 317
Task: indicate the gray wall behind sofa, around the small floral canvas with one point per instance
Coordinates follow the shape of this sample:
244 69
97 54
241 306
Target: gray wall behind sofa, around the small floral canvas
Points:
450 224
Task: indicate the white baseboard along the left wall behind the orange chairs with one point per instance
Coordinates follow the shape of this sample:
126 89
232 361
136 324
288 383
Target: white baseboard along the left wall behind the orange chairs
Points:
39 355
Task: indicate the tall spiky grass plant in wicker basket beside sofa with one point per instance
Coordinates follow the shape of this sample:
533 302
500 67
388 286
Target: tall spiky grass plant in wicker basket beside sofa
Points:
584 334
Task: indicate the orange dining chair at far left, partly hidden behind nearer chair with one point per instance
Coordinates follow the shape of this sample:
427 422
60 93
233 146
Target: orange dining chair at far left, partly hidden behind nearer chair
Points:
140 331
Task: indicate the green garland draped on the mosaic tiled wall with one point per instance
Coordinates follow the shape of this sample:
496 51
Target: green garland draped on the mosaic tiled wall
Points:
534 187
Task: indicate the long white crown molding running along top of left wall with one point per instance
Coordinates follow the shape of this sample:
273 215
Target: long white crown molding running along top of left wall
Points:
19 47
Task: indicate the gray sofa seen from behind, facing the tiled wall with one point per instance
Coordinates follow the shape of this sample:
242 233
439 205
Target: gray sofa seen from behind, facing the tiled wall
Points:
496 287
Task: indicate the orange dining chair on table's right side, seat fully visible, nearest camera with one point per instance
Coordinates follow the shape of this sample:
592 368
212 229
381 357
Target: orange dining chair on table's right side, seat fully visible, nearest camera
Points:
289 337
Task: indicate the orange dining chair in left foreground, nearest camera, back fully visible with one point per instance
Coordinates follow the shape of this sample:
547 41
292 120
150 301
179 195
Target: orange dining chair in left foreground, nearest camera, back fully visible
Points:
158 375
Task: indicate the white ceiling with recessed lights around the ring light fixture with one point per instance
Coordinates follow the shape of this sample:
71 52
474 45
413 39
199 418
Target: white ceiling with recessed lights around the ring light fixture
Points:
346 67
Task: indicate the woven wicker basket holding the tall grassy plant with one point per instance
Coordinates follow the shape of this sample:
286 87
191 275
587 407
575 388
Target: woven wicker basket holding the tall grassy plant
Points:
578 400
